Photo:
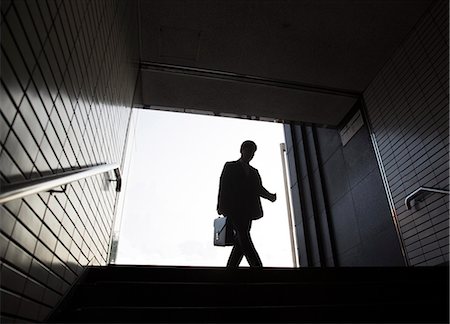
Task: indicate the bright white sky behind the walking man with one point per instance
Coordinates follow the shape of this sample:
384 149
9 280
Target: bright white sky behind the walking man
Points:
172 184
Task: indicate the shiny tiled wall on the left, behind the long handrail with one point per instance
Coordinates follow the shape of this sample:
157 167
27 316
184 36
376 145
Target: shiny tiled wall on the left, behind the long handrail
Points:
67 82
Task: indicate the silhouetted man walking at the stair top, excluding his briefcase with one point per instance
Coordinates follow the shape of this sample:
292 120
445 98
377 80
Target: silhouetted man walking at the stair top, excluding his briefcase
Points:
239 200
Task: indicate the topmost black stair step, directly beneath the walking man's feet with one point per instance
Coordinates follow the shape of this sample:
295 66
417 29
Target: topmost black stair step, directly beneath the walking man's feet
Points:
220 274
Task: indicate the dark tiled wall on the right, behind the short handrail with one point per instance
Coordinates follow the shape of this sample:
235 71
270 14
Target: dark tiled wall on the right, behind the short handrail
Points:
408 106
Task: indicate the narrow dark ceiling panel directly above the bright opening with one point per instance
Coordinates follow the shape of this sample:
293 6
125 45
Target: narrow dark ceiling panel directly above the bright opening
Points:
222 97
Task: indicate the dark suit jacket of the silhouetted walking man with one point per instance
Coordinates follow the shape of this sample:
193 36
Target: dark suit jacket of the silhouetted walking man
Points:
239 192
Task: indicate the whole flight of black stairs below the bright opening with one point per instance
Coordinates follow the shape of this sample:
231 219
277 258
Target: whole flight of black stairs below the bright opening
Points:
311 295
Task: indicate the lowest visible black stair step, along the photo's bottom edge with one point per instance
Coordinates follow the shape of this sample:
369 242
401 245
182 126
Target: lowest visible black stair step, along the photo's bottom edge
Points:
298 314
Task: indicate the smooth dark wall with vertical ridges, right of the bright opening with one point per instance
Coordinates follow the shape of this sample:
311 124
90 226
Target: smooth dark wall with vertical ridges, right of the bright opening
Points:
341 210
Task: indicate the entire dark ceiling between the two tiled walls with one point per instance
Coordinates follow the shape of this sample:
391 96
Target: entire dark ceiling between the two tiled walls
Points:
282 60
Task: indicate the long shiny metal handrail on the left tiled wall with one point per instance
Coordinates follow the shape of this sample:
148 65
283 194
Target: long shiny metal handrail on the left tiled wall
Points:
46 183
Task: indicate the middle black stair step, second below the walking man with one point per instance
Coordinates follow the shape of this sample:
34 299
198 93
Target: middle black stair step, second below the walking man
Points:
169 293
